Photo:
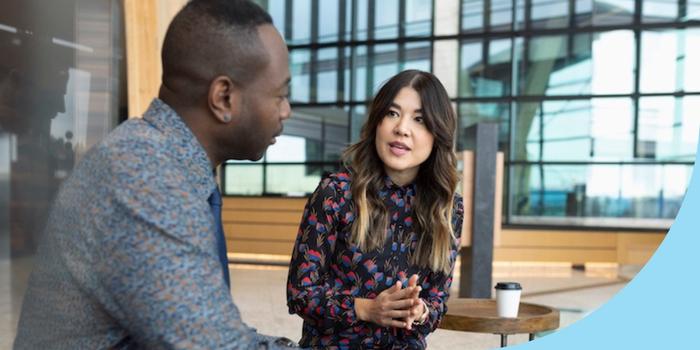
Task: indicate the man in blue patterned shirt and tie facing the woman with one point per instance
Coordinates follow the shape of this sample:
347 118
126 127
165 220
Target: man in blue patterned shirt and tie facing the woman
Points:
133 257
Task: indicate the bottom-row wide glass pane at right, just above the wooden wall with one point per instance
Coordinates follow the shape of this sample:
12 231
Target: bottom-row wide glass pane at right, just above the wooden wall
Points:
597 190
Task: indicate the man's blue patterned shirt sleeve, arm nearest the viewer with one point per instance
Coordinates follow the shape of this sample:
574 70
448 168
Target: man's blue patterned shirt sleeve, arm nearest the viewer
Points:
159 275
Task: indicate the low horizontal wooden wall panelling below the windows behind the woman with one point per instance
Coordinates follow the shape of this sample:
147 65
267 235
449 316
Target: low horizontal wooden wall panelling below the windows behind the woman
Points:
269 226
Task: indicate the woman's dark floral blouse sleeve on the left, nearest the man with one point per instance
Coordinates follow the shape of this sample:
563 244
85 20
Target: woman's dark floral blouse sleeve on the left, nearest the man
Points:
310 292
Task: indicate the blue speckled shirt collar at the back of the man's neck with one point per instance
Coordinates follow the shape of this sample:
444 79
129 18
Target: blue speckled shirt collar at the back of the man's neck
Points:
184 145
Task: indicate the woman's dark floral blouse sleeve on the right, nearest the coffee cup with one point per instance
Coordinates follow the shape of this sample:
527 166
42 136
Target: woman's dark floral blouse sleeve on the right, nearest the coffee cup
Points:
436 289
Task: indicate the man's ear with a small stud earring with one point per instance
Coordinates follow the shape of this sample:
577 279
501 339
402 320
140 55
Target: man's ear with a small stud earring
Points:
224 98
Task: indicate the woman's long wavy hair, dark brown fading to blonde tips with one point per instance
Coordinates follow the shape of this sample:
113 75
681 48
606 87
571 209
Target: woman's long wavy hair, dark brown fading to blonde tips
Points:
436 180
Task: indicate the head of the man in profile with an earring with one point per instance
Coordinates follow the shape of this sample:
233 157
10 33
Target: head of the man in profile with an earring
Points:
225 71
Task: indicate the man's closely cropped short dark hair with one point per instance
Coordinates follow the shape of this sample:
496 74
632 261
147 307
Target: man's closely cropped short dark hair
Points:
209 38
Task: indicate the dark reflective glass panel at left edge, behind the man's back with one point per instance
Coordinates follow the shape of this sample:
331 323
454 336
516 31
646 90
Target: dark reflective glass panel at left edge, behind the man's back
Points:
62 89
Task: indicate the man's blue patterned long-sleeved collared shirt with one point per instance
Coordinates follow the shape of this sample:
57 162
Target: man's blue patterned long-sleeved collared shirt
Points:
129 257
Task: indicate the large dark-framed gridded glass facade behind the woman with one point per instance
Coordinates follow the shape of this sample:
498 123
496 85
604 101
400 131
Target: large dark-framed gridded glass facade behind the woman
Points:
597 100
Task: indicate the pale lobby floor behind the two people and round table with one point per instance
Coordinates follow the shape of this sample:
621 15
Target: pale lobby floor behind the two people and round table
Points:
259 292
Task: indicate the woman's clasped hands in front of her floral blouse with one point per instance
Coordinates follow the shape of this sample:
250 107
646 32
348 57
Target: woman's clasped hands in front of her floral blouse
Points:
394 307
